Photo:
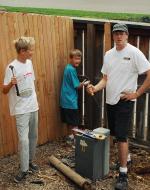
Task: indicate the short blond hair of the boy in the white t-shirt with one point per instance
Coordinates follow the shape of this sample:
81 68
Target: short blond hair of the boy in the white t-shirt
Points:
23 43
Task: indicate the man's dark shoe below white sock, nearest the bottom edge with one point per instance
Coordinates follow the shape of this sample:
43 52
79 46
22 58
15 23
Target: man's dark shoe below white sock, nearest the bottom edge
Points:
122 182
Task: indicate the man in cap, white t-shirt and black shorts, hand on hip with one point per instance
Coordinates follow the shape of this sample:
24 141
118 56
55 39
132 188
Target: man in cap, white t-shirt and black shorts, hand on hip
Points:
122 65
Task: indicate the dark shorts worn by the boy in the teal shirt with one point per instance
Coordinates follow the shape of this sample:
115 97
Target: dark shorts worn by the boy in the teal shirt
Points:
70 116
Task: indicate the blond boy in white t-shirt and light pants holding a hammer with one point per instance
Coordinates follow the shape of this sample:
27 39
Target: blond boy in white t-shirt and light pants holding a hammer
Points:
19 85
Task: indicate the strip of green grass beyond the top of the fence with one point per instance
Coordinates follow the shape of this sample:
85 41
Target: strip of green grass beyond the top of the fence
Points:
79 13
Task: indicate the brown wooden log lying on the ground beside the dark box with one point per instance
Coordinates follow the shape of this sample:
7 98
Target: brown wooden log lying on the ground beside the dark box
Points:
79 180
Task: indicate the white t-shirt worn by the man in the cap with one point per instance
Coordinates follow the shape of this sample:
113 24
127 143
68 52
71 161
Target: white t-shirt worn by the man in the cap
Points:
122 69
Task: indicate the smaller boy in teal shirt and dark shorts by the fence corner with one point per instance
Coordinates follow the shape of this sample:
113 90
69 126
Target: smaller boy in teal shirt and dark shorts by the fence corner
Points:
69 91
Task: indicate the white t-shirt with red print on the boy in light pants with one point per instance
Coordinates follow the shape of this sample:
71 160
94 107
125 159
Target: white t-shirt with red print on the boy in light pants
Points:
27 101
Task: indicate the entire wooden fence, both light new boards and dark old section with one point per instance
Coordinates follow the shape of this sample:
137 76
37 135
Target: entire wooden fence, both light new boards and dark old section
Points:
54 37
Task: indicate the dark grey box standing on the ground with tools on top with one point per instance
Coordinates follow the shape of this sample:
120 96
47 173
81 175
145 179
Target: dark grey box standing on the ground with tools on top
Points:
92 157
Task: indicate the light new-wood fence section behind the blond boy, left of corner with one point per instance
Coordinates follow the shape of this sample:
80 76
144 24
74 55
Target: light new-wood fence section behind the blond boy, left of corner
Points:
54 40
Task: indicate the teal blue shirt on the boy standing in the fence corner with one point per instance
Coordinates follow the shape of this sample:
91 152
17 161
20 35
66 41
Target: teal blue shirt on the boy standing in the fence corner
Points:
69 91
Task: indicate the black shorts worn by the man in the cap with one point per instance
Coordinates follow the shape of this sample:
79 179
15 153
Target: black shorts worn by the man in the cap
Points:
119 119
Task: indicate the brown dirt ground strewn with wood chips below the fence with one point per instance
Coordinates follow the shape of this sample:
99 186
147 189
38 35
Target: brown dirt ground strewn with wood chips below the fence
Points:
57 181
